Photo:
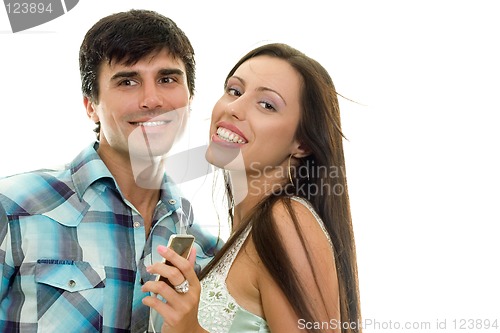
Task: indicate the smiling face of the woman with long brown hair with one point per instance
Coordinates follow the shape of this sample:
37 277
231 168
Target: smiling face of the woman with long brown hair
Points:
253 124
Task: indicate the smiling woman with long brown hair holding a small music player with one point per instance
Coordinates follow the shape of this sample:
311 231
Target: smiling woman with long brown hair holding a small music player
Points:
289 264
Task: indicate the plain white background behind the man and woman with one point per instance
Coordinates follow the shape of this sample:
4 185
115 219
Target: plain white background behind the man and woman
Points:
423 141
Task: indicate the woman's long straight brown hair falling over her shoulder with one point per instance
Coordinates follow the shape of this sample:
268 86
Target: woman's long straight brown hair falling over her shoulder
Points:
324 185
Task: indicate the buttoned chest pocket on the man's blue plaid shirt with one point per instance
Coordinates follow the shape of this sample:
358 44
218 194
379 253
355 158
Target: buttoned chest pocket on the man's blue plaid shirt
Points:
69 293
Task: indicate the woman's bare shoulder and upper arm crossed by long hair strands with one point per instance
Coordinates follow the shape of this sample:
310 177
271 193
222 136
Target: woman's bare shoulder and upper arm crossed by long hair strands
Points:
317 274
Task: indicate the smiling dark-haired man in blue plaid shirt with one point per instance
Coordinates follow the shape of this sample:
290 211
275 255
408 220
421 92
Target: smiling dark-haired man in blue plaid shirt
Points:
75 243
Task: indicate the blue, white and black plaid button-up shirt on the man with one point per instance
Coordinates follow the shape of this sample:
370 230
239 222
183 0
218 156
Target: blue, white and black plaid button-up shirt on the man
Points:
73 251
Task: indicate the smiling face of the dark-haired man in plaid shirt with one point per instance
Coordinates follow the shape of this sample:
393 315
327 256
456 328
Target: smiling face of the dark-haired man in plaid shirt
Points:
142 108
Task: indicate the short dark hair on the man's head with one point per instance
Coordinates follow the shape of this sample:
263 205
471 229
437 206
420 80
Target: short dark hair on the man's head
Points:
128 37
